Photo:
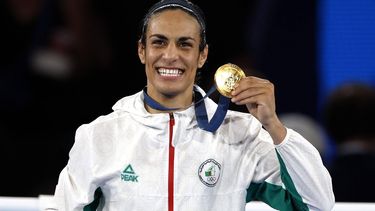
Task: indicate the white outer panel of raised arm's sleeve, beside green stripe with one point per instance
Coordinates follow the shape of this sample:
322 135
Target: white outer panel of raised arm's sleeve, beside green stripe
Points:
306 170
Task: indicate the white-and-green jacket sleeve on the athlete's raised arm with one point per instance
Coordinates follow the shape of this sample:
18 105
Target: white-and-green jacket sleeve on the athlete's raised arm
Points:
293 177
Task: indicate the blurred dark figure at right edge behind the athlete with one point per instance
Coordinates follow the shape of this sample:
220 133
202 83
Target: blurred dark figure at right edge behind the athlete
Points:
348 118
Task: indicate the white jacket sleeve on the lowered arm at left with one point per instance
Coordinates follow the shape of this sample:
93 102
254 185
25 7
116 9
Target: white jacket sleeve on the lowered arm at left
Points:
77 188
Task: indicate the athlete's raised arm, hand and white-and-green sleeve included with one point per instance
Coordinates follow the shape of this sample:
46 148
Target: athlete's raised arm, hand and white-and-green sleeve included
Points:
294 175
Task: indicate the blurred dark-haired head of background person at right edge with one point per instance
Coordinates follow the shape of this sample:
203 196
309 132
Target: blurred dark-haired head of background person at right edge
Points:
349 112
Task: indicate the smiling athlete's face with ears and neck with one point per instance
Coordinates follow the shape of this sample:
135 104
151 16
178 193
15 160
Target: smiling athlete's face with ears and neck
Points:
171 45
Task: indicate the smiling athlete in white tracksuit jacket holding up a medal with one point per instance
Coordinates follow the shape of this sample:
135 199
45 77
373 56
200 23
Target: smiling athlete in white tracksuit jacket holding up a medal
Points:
156 150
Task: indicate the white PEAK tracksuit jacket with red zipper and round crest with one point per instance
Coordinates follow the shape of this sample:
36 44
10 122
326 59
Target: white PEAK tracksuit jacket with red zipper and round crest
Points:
131 160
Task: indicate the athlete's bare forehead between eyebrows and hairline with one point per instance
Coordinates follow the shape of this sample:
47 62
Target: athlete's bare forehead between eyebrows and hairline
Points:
175 20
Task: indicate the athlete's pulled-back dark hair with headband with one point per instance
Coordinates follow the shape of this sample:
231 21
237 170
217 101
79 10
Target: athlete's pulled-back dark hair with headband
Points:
184 5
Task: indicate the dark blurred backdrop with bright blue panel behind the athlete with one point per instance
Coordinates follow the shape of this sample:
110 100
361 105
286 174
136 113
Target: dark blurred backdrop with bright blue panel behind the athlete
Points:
65 62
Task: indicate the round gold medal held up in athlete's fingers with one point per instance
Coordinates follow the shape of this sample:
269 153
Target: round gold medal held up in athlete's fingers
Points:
226 77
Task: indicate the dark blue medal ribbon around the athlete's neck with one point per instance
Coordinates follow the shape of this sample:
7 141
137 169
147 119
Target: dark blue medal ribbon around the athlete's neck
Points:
200 109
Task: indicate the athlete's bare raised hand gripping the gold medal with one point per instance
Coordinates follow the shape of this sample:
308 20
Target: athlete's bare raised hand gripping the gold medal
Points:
259 97
